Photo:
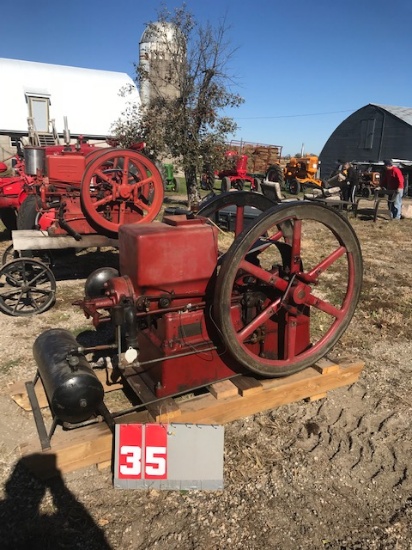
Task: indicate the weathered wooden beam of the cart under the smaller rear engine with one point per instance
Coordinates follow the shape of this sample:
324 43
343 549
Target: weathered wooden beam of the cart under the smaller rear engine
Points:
39 240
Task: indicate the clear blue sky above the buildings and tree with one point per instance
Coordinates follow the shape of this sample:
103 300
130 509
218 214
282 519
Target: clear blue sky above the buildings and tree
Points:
302 67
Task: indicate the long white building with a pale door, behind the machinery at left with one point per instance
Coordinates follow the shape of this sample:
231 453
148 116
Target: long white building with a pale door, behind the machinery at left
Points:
89 98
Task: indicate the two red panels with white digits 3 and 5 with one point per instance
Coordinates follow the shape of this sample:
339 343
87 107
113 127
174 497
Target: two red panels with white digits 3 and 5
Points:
142 451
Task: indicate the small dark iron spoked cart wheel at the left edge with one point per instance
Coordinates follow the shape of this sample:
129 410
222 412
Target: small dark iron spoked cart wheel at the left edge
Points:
27 287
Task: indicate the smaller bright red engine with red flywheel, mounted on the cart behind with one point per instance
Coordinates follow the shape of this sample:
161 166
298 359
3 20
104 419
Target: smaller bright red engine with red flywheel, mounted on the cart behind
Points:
83 189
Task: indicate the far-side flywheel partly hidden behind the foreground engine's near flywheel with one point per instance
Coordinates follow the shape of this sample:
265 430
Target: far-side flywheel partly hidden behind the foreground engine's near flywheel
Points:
234 207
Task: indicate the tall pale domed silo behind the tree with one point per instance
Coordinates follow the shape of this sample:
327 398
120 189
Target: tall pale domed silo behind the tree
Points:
161 54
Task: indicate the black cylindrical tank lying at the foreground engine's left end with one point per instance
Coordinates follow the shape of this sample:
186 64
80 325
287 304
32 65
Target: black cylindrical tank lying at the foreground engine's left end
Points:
72 388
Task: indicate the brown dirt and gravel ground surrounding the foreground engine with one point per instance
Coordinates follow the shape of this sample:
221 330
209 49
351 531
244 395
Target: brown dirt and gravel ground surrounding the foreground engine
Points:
333 474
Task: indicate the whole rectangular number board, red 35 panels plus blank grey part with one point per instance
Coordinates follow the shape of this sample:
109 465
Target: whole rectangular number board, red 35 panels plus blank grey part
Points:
171 456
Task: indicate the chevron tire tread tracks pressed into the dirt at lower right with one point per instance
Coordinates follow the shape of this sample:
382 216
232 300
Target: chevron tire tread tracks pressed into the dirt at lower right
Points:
367 440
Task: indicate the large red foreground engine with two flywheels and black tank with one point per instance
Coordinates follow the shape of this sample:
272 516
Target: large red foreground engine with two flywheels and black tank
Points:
186 312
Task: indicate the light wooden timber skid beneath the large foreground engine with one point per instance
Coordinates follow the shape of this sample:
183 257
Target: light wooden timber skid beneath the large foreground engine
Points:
224 402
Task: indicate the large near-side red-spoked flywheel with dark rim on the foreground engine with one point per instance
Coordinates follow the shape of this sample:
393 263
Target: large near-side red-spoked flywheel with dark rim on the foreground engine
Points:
287 288
